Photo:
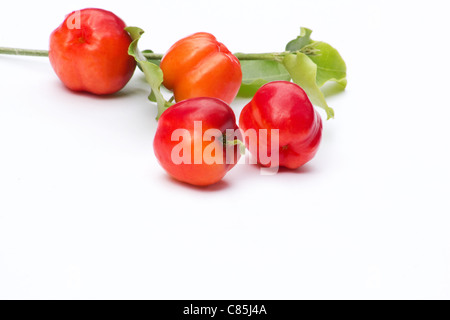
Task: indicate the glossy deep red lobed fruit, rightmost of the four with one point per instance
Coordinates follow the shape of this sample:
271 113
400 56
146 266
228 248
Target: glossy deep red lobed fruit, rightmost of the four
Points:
284 106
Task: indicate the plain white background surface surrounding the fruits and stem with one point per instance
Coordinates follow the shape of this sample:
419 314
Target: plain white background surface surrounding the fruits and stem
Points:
87 212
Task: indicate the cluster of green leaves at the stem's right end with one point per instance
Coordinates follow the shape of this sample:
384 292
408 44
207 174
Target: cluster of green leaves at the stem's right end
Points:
308 63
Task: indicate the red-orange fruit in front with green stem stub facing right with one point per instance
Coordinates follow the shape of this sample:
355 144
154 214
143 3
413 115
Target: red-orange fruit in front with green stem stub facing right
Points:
194 141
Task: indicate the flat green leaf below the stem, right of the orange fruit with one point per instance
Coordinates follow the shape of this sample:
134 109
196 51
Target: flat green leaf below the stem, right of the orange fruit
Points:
256 73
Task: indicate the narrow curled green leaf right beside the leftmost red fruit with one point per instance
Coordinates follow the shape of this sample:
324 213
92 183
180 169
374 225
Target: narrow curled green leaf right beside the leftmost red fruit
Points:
153 73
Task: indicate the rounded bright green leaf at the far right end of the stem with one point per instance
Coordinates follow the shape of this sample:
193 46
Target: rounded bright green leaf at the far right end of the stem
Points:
330 65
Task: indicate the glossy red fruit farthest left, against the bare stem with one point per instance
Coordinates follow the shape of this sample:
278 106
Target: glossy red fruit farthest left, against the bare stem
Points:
89 52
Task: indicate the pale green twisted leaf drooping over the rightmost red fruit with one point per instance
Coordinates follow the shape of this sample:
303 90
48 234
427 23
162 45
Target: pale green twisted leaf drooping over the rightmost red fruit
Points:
304 73
